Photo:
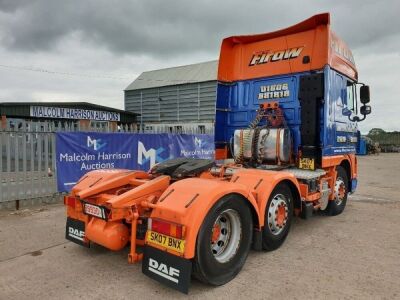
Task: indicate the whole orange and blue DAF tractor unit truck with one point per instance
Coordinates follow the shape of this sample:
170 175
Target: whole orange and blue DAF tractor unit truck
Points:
288 103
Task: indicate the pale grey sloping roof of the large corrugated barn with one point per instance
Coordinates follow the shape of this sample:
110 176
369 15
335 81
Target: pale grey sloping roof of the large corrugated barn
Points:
206 71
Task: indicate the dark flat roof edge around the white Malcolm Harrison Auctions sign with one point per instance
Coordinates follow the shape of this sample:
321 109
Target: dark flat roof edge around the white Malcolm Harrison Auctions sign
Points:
22 109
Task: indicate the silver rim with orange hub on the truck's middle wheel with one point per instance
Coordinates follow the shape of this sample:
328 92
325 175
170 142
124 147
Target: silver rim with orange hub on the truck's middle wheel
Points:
277 214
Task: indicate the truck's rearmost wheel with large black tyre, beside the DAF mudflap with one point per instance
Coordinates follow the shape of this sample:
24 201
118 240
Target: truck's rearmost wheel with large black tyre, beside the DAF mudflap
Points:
224 241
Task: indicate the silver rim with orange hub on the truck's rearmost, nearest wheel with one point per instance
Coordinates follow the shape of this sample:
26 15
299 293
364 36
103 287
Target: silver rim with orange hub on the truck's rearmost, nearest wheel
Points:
226 235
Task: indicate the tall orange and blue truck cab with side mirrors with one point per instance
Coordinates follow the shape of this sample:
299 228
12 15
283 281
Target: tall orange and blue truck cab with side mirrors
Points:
310 73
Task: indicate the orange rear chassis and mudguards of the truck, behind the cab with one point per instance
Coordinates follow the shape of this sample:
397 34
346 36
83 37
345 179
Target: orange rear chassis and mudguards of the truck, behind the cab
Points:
132 195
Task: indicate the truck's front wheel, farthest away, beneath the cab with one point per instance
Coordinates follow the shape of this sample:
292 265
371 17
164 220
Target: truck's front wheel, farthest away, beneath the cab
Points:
336 206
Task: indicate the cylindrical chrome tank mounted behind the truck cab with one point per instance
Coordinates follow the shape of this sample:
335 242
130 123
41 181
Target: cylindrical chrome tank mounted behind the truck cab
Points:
273 144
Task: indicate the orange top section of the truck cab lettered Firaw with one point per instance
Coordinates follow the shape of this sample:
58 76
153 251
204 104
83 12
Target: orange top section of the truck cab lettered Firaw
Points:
252 56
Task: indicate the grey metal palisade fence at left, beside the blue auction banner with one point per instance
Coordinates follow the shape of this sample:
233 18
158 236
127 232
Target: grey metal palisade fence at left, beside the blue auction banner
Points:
28 159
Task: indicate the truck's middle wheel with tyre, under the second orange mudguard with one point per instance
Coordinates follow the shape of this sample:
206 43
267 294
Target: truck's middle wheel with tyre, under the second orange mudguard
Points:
278 217
